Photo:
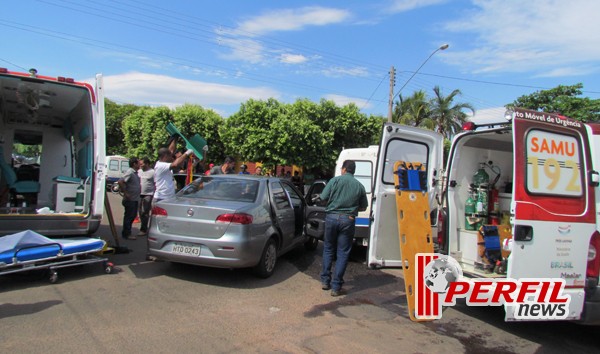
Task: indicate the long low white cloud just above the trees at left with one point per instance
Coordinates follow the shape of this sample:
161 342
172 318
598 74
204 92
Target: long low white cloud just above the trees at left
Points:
155 90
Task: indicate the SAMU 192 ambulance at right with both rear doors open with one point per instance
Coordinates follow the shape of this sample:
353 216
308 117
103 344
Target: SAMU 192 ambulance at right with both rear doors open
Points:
518 200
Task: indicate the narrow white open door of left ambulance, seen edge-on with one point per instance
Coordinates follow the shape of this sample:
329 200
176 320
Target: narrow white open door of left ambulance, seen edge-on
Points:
100 168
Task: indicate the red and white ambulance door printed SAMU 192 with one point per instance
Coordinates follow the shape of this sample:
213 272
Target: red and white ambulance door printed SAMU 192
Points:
553 204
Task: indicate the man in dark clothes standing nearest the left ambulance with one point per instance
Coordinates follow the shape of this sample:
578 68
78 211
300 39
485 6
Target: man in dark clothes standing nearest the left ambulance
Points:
130 185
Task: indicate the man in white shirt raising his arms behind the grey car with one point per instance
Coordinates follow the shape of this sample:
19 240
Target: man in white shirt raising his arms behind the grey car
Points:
163 171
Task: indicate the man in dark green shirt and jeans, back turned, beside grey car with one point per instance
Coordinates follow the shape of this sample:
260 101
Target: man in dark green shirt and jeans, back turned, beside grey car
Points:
345 197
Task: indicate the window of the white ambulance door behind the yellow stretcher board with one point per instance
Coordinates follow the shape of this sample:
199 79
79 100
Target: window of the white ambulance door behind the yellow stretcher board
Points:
403 150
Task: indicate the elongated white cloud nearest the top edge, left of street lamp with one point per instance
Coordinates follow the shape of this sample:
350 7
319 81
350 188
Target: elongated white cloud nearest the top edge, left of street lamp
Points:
291 20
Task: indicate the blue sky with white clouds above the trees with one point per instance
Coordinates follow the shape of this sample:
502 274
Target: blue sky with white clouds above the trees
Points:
219 54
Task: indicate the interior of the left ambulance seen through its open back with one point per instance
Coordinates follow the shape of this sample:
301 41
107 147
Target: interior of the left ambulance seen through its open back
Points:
46 147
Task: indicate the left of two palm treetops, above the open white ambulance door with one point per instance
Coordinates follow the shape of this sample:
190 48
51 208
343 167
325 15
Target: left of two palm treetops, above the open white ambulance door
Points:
414 110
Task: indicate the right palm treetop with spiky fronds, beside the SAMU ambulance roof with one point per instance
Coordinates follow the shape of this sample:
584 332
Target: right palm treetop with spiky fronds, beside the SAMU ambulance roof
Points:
447 115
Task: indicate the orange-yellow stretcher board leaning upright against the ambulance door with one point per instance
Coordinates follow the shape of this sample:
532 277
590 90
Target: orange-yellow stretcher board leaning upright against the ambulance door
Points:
414 225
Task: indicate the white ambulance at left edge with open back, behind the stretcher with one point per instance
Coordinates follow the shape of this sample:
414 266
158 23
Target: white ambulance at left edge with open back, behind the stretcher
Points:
62 123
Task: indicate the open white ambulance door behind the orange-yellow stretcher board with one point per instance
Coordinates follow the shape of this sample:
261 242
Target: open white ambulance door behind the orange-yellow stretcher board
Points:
398 143
